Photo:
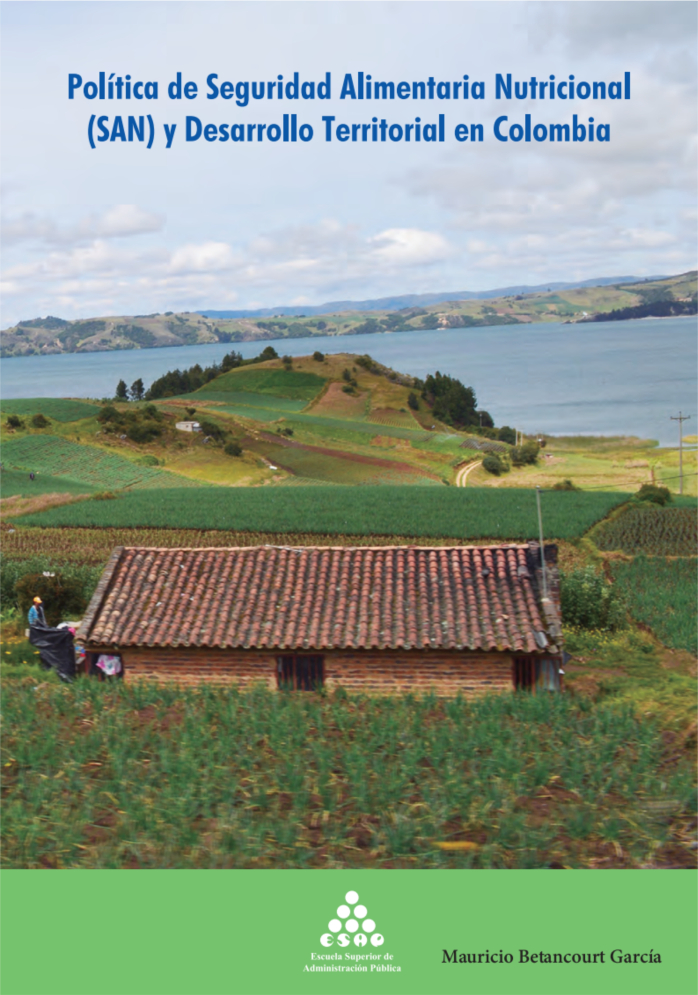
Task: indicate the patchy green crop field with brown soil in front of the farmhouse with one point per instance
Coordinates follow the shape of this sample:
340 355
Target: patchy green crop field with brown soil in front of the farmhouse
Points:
138 776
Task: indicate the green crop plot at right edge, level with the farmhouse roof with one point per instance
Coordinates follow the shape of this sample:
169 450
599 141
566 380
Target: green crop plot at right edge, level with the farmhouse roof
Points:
663 595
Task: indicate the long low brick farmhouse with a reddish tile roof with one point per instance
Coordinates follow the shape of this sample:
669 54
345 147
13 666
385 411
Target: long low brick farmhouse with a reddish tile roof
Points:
466 619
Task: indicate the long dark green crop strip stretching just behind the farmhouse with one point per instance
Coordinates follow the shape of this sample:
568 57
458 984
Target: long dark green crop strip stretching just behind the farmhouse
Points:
390 510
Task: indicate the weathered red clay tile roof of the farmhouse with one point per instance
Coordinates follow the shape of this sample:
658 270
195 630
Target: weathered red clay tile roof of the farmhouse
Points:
467 597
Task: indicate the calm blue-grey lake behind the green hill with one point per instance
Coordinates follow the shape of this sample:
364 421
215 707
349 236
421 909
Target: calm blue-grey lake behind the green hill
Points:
604 378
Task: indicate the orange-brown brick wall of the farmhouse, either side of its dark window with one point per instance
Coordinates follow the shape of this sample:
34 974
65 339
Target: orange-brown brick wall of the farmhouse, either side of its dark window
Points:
379 673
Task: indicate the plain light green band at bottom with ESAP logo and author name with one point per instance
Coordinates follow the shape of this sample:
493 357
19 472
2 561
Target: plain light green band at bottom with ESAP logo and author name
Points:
234 932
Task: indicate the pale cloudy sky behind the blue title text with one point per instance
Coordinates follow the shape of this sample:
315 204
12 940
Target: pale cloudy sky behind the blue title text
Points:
123 229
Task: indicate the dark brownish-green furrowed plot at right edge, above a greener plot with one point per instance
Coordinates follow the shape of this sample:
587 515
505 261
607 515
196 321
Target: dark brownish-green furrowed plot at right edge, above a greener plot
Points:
650 529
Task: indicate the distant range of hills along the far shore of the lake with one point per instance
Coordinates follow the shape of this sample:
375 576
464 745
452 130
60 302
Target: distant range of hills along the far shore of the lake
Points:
556 302
